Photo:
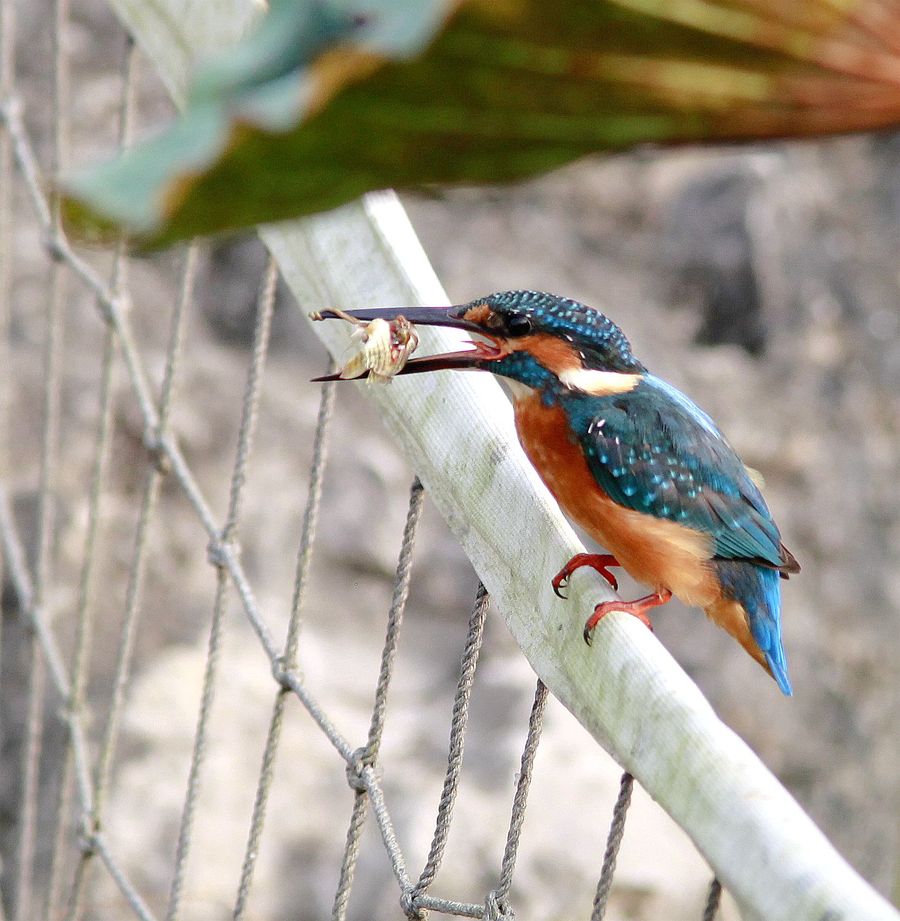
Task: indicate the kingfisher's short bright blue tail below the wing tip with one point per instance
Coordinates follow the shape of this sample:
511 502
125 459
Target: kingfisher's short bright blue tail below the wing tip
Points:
759 592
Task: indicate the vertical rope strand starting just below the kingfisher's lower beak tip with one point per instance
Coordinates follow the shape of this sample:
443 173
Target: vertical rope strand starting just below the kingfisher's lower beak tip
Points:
288 661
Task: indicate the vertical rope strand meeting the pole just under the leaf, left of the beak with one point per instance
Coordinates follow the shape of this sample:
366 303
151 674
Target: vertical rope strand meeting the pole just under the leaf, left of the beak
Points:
247 430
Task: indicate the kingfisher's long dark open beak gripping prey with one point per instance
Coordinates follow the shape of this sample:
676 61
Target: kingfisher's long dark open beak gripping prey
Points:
426 316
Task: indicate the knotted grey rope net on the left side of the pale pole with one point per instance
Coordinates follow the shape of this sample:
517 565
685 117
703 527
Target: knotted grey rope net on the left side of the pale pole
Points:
63 853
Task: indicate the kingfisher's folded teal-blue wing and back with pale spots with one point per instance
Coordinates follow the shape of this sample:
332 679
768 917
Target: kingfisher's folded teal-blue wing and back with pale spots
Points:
654 451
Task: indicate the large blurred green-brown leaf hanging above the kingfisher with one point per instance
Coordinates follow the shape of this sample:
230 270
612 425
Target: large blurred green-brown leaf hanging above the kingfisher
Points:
327 101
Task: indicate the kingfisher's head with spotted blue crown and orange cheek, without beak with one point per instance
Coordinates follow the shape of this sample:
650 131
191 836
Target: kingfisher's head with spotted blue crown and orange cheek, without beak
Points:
555 330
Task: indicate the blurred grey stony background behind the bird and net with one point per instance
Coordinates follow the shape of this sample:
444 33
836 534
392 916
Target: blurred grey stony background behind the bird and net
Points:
762 281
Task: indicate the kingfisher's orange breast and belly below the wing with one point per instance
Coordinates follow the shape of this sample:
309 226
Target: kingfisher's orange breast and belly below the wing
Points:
661 553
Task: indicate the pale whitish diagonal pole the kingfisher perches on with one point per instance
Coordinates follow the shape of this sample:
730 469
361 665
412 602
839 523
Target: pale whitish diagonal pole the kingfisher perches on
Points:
457 432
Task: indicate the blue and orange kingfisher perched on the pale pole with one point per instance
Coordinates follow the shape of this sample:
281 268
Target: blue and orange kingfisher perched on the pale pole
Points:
632 460
